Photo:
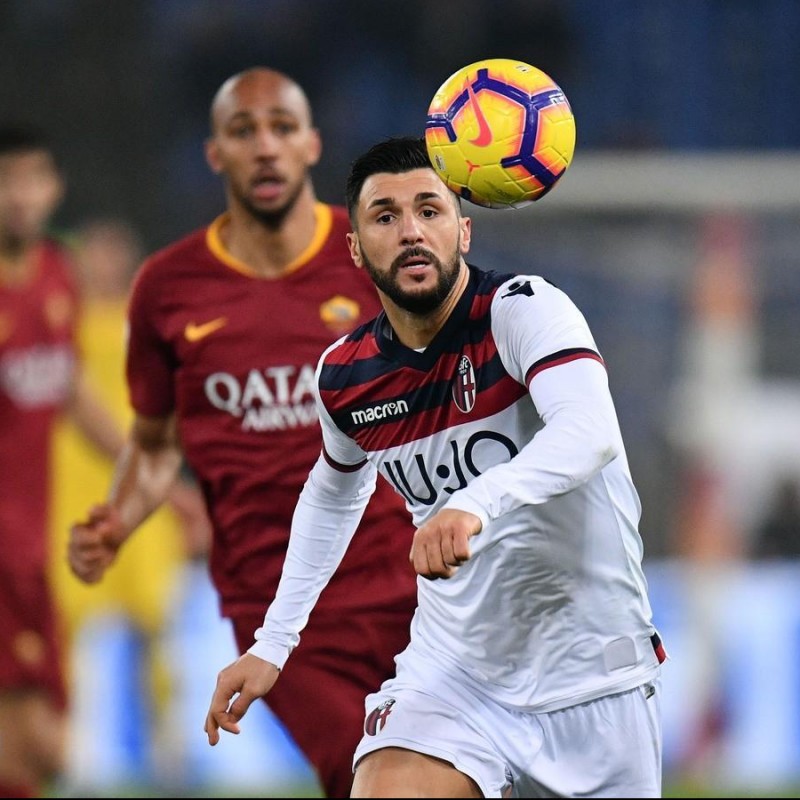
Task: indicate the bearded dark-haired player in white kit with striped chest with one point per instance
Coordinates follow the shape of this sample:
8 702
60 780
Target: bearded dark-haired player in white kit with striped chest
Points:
533 667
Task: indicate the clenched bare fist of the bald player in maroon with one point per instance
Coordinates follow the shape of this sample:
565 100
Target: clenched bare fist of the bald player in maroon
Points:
93 543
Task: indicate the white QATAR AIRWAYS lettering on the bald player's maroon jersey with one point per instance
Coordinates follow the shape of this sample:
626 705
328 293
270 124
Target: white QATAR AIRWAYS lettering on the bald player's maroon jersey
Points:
274 398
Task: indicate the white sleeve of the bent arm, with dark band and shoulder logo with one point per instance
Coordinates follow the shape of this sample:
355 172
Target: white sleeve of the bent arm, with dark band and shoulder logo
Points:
544 341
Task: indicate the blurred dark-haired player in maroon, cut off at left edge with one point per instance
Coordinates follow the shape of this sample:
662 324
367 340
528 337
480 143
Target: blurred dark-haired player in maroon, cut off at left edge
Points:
39 378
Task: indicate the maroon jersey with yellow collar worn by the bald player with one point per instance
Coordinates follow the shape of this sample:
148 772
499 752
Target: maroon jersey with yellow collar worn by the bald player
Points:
234 355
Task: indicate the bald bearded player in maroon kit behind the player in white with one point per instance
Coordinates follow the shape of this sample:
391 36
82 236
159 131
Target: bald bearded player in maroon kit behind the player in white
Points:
226 327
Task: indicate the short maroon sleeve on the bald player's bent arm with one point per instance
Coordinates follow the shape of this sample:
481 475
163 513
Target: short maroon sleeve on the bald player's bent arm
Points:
149 363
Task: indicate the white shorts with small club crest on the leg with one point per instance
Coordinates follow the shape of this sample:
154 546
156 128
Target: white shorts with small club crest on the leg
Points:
609 747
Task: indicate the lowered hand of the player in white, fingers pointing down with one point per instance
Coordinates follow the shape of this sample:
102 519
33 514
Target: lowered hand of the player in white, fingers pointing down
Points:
250 677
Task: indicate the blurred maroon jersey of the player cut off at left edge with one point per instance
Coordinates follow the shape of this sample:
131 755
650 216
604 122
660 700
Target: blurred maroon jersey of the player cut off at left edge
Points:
37 368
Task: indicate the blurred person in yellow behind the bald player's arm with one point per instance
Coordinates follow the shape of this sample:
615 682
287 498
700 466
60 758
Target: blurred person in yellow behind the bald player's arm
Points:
117 630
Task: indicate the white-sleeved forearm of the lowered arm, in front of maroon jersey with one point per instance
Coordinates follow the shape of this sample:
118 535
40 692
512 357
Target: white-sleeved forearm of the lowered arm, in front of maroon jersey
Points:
325 519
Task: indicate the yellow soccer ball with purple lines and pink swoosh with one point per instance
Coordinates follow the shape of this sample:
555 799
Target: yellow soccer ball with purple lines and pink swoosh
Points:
500 133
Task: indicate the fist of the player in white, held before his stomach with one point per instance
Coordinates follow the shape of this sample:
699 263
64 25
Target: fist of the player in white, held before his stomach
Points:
441 545
